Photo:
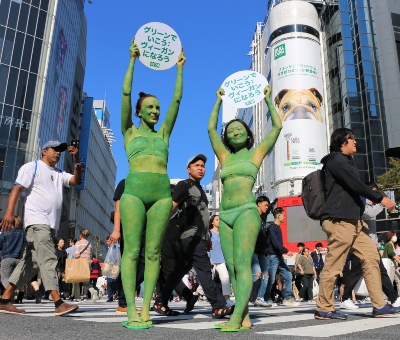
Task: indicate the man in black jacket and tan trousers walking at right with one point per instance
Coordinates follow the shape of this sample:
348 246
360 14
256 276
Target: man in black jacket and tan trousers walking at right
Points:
342 223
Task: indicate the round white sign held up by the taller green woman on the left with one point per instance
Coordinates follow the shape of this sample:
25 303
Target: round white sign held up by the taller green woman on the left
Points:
159 45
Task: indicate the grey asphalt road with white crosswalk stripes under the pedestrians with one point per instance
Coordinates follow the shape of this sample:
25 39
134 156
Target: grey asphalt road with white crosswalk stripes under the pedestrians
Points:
99 321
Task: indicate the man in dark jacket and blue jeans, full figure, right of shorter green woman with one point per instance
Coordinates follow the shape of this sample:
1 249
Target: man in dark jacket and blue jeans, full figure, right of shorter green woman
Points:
276 261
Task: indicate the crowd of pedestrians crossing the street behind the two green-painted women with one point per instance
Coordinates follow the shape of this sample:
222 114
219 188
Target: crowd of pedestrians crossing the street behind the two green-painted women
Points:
192 261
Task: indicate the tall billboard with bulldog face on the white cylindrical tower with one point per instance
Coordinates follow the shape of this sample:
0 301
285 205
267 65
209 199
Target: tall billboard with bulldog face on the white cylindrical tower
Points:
298 97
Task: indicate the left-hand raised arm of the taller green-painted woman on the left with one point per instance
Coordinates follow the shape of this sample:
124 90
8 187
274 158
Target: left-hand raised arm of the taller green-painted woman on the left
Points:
126 107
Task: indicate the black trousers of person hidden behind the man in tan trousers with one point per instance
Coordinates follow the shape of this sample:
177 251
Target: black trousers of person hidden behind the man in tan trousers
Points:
356 272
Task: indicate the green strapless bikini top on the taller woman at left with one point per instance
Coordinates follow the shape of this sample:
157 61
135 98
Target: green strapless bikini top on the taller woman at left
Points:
147 145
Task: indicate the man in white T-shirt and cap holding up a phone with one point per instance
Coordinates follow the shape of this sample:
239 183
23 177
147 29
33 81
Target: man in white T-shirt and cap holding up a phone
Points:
44 190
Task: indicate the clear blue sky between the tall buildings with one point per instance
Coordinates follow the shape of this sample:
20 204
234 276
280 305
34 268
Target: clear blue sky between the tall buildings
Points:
216 36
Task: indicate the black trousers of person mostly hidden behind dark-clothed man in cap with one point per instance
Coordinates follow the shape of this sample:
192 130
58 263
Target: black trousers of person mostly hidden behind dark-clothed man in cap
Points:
169 257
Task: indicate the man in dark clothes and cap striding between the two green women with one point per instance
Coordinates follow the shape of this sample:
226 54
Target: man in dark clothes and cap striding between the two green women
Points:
193 241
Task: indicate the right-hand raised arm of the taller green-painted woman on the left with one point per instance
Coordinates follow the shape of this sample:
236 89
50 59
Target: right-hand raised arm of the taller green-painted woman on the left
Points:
173 109
